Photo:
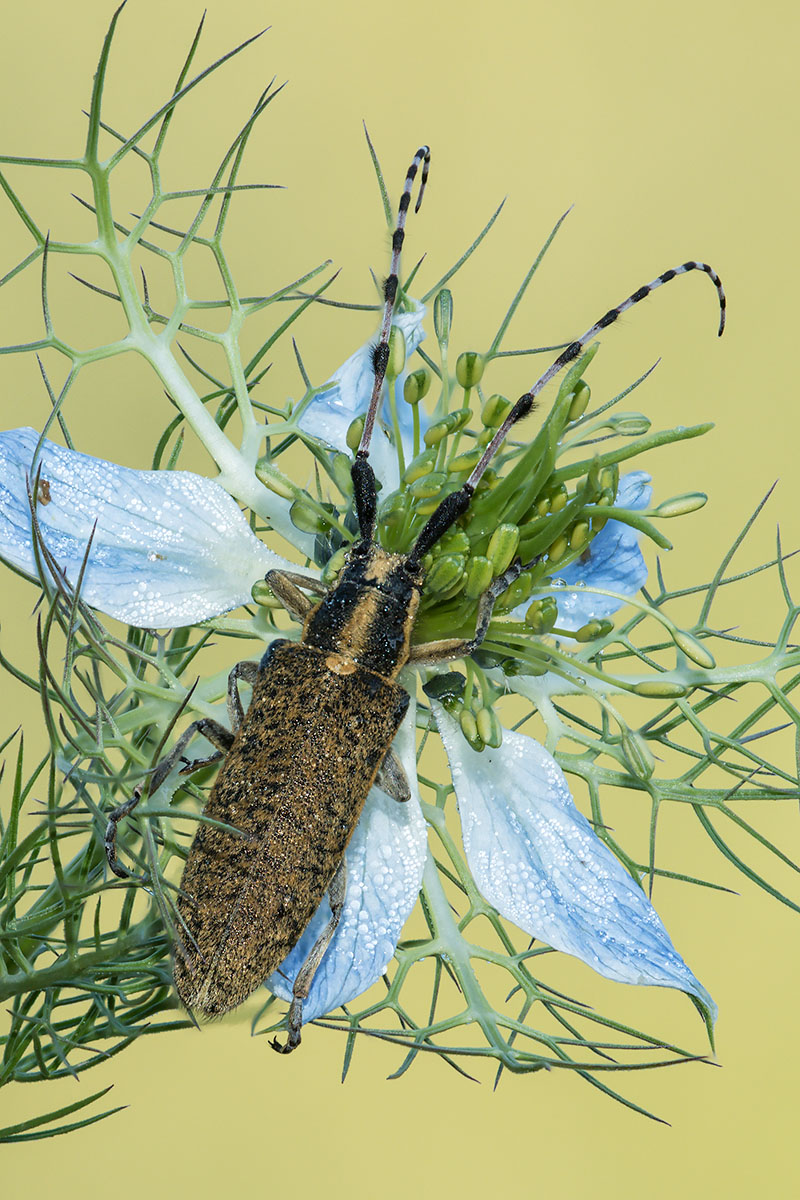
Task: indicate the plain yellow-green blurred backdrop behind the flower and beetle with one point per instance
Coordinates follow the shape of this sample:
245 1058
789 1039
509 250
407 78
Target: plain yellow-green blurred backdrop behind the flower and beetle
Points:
672 130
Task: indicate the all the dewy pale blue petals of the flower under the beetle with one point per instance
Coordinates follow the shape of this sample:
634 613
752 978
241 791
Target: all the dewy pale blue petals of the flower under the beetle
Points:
170 549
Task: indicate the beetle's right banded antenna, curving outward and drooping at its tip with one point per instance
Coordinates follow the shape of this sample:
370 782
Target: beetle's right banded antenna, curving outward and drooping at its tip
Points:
458 503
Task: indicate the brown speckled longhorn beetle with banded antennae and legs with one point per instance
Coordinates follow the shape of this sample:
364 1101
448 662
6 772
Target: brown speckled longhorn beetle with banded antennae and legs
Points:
321 724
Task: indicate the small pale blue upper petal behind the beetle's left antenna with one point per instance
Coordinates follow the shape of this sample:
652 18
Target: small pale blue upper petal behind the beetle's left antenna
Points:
333 411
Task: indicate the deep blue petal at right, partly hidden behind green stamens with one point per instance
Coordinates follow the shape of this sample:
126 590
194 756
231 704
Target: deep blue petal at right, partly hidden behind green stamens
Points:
613 562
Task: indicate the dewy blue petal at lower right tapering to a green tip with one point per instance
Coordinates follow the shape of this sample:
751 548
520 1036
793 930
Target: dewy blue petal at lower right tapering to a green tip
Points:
537 859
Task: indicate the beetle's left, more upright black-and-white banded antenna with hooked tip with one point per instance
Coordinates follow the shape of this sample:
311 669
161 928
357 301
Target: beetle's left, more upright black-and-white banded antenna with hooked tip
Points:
364 481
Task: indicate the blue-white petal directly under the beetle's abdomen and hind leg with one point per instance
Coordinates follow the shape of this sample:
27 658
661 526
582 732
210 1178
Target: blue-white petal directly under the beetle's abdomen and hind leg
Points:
386 860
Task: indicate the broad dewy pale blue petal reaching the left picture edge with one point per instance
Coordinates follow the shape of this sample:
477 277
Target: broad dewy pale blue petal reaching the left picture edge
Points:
170 548
